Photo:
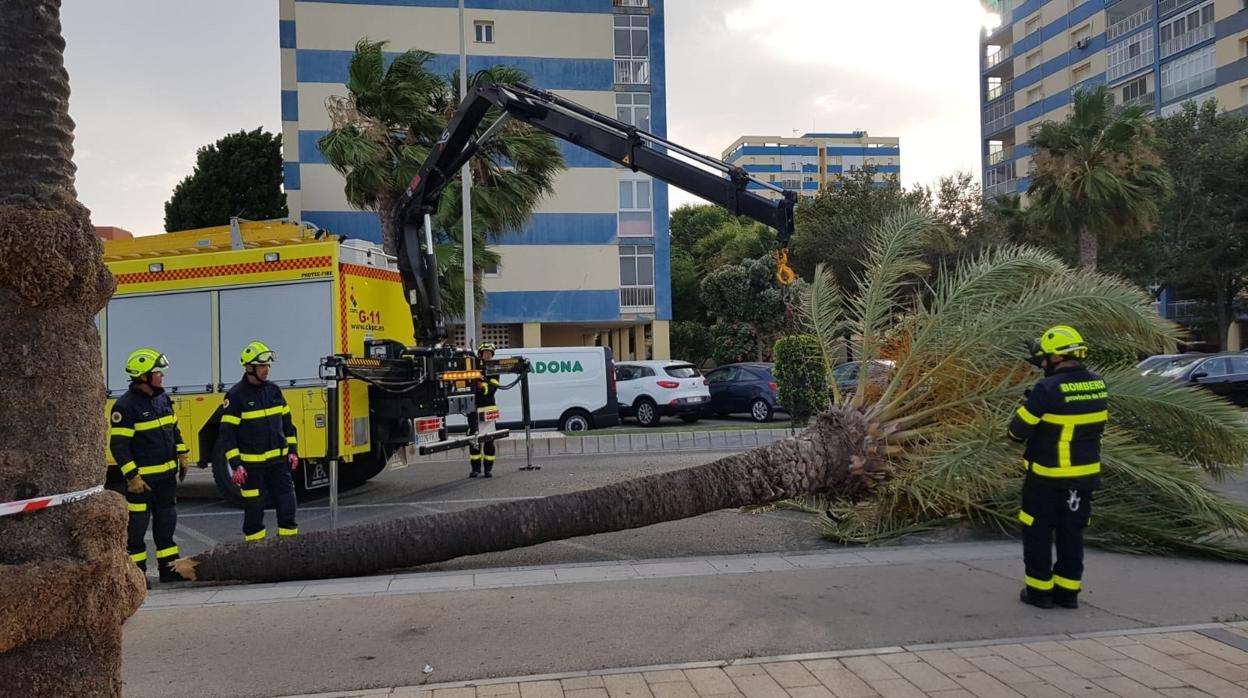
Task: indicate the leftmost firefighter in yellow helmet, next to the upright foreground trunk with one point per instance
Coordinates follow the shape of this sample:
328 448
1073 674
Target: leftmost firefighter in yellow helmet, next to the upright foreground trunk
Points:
149 450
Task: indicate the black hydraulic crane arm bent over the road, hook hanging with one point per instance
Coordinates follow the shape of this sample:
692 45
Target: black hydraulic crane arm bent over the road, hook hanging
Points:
711 179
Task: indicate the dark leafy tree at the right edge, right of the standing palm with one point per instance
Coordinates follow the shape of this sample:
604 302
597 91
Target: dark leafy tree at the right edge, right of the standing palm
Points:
1204 243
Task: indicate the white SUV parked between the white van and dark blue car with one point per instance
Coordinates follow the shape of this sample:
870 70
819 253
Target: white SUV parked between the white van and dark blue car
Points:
652 390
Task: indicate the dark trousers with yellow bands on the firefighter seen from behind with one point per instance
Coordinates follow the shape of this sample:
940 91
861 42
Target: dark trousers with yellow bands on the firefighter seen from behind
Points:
1053 516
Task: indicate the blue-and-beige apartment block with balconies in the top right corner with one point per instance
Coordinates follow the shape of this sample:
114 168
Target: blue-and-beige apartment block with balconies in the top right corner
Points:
1154 53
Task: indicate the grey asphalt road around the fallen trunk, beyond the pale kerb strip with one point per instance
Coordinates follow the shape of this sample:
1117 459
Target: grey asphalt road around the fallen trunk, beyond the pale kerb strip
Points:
205 521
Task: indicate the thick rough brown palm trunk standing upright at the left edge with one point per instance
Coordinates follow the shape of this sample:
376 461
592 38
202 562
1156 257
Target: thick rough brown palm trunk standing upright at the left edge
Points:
67 584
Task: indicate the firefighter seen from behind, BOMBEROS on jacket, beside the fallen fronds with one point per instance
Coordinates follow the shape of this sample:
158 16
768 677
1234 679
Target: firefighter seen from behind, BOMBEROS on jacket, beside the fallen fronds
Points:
1061 423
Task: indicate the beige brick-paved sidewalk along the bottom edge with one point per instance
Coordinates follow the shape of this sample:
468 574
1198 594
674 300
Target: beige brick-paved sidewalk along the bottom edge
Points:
1189 662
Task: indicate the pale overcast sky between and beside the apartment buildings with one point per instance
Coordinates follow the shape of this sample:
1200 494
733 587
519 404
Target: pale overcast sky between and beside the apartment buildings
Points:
153 81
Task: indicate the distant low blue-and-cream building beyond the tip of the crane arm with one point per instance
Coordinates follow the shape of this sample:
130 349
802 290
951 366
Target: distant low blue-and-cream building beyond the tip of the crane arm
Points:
814 162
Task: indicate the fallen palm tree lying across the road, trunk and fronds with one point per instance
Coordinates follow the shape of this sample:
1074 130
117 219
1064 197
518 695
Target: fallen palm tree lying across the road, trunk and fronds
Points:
924 449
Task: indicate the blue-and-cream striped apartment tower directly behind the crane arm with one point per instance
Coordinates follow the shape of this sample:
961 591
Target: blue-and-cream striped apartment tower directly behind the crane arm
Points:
593 267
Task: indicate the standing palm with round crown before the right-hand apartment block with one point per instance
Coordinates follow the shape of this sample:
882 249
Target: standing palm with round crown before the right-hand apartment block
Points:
1098 174
